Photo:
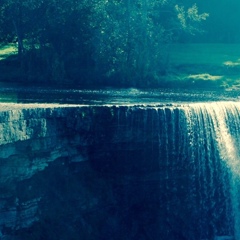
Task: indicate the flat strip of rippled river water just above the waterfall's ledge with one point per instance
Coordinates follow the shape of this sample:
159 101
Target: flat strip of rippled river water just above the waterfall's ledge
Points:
112 96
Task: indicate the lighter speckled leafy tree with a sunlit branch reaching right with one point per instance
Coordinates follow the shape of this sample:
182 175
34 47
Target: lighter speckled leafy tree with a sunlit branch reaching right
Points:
131 37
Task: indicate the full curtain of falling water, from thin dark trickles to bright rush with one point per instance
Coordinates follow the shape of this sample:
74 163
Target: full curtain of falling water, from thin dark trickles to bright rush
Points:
197 146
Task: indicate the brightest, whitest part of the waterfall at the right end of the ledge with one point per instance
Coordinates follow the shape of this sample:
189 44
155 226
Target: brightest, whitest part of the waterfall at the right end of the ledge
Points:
217 127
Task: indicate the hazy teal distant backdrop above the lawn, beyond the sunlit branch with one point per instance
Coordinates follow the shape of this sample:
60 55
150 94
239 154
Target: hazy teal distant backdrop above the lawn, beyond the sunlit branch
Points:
222 26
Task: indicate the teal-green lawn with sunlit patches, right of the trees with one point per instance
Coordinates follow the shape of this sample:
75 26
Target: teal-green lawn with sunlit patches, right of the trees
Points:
211 64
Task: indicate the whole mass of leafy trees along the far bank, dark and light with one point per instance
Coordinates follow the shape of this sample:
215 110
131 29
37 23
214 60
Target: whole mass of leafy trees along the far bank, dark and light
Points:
92 42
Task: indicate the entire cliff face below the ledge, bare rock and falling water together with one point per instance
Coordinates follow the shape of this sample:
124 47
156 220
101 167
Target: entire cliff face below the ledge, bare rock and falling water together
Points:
120 172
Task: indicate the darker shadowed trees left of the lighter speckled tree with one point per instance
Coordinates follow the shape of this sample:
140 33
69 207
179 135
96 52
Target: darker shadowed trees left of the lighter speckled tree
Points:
52 36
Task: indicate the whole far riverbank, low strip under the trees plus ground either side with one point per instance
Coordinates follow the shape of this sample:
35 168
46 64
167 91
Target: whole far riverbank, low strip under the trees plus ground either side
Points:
215 66
